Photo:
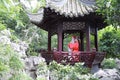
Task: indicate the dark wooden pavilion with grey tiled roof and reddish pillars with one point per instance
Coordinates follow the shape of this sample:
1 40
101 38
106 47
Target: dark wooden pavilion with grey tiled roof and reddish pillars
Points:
71 16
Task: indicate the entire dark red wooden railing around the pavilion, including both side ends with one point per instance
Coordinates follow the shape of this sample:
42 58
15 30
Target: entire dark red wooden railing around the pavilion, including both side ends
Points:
89 58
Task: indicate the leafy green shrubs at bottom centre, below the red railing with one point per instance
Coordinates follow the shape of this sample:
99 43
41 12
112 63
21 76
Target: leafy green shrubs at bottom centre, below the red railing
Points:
69 72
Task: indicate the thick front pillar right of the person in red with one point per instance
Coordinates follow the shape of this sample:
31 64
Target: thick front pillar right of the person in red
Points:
87 37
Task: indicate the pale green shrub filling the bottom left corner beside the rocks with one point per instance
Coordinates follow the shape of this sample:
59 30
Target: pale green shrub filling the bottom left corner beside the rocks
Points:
11 64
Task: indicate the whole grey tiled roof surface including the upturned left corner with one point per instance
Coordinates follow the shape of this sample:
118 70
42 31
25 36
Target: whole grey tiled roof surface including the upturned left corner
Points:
68 8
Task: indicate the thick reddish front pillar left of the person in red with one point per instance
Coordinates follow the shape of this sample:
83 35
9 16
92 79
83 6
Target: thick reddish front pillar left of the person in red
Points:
60 38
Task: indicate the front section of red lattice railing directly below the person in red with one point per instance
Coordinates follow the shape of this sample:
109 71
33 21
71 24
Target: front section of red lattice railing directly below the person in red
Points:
87 57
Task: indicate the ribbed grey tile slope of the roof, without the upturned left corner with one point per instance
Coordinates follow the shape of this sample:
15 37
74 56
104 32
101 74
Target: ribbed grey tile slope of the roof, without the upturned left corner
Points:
72 8
